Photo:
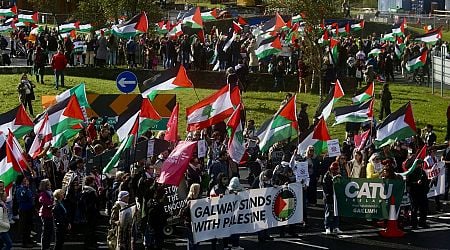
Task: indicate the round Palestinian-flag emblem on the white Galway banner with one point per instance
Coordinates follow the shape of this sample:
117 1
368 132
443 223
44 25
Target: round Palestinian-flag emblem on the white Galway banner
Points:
284 206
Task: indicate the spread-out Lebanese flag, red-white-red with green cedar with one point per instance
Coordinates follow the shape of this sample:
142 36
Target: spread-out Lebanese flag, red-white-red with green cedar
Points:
213 109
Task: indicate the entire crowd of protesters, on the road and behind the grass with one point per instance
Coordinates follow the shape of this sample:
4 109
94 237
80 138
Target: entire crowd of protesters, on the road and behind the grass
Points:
68 198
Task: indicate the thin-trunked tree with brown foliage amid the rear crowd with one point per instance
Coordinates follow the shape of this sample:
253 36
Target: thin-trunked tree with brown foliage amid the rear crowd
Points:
314 12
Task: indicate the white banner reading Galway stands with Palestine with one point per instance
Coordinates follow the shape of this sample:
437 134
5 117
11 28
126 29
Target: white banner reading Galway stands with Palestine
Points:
246 212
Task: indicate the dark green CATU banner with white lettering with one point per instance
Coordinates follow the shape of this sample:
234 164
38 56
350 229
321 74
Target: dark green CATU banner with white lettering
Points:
367 198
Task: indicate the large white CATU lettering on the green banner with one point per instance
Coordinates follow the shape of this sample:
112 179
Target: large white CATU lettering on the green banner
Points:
368 190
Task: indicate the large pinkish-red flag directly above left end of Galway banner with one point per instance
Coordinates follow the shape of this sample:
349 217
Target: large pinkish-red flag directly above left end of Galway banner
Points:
175 166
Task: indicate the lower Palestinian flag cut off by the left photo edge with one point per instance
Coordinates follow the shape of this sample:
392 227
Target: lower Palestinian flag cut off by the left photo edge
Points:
12 161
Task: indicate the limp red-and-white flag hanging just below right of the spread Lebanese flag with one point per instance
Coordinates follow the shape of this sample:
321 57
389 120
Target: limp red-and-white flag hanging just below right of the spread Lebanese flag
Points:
236 144
